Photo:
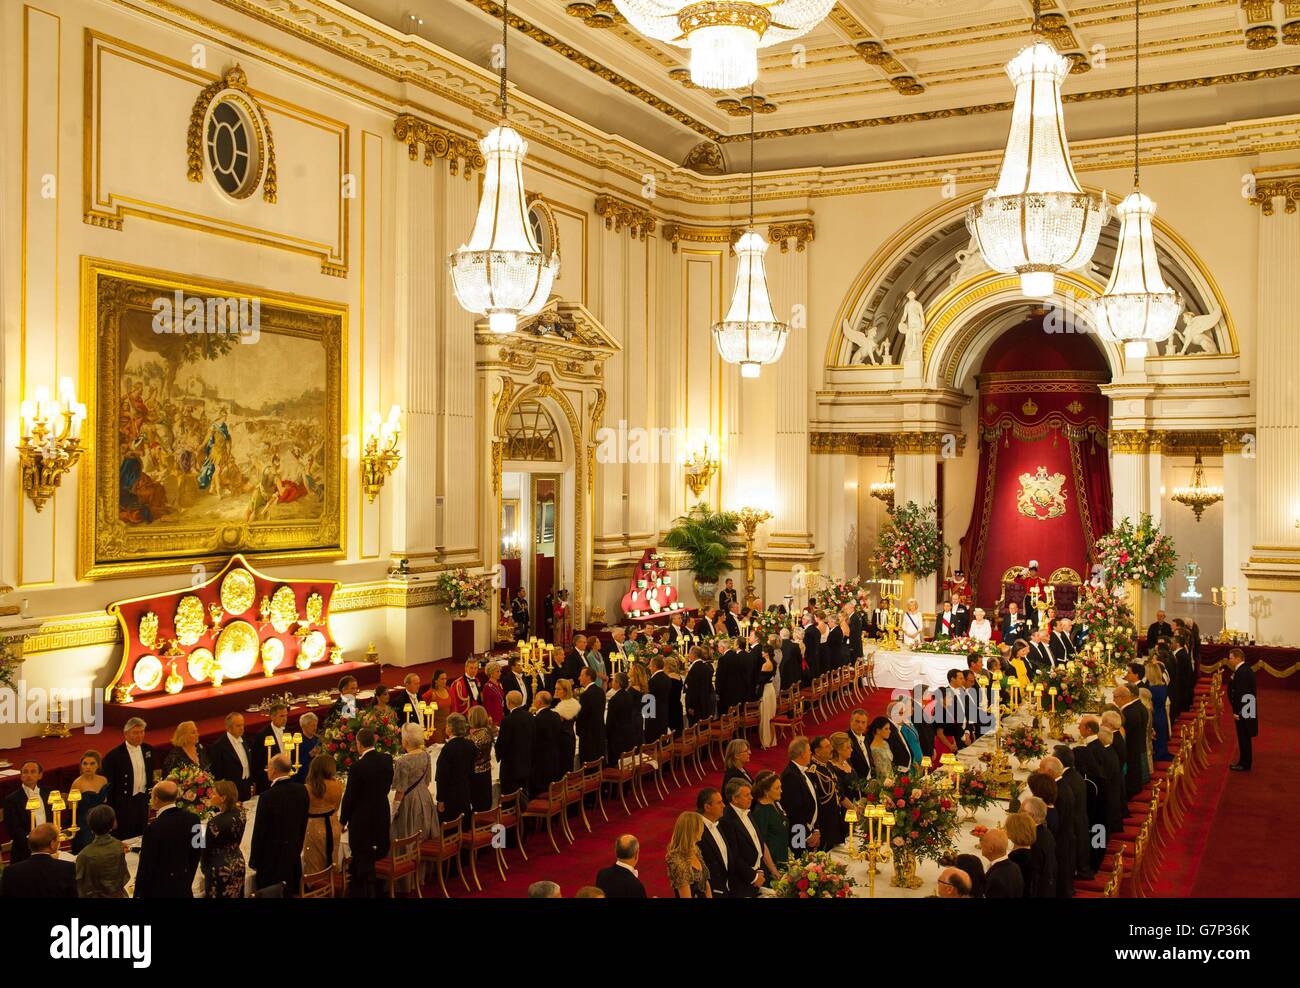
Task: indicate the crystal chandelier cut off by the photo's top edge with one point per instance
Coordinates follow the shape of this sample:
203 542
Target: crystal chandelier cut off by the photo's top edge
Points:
725 36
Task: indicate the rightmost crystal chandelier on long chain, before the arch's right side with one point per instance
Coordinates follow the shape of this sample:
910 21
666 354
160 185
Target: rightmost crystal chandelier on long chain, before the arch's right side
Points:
1137 307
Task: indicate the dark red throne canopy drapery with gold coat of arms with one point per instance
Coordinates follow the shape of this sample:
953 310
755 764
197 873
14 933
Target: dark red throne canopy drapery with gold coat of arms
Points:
1043 487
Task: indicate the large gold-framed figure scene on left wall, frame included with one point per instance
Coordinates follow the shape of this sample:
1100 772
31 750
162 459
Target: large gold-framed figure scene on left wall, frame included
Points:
216 423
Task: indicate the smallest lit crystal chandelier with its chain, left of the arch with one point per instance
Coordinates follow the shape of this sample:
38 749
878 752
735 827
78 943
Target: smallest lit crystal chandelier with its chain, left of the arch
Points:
751 335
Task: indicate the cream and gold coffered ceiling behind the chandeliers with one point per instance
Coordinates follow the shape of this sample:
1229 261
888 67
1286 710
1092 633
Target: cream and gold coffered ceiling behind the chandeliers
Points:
883 80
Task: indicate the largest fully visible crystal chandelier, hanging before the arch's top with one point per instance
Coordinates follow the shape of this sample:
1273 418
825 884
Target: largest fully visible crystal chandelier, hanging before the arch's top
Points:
1037 222
